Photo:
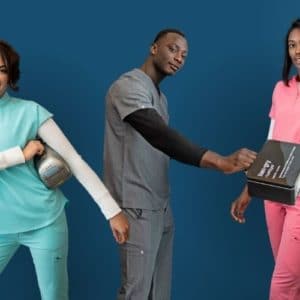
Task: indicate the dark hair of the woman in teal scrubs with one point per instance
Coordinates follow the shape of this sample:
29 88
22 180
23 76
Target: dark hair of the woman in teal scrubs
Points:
11 60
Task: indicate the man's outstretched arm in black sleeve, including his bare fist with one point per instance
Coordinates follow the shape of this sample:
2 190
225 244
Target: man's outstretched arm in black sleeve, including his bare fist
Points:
153 128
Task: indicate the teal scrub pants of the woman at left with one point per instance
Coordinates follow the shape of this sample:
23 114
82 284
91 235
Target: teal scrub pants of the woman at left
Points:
49 249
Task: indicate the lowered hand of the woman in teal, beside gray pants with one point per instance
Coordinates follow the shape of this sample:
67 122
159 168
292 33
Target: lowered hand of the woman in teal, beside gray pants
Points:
120 228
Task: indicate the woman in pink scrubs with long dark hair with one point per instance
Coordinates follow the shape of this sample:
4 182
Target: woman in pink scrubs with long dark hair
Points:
283 221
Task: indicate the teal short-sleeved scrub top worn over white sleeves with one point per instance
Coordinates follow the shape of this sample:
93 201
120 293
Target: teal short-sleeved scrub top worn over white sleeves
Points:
25 202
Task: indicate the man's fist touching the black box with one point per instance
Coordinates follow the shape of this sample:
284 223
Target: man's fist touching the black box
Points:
237 161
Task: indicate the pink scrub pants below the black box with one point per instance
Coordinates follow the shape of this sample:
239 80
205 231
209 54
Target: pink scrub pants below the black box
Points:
283 222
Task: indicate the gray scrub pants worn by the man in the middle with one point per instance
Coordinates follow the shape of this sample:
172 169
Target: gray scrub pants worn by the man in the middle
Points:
146 258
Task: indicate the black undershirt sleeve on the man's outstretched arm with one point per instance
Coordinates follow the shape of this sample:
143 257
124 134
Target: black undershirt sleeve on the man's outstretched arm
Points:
156 132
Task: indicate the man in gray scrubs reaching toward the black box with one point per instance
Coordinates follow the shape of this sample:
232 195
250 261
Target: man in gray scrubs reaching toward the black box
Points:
137 148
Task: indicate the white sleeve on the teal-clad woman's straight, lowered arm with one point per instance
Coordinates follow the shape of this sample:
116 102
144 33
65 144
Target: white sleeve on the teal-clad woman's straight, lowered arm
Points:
55 138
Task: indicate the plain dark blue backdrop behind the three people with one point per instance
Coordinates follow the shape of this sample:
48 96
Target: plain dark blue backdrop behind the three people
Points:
71 52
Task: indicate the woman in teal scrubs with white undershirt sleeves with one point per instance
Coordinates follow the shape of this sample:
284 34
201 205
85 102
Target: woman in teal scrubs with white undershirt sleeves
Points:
31 214
